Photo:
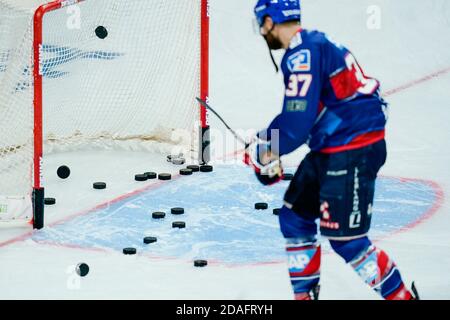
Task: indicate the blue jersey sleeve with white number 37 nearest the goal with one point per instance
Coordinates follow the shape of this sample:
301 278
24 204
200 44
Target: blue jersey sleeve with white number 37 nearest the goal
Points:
301 107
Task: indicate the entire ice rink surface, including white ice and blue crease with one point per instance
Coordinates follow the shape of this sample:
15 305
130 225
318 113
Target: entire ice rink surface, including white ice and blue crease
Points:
408 53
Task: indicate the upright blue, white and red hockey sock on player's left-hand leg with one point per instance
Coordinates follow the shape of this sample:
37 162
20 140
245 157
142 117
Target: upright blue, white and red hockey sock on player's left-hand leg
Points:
304 266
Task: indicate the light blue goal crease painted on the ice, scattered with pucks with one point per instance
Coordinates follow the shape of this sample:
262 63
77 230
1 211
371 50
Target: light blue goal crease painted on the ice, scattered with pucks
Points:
221 222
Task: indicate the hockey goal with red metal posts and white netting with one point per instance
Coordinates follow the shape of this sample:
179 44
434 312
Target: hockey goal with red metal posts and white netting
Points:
98 73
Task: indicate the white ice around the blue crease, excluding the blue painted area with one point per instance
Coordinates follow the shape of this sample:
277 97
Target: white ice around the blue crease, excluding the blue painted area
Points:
412 43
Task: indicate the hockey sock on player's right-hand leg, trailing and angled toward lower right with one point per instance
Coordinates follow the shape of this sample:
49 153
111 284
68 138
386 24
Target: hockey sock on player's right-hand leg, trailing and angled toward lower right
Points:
375 267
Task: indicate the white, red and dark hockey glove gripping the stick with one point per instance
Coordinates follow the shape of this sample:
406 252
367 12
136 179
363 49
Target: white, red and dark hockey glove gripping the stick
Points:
267 166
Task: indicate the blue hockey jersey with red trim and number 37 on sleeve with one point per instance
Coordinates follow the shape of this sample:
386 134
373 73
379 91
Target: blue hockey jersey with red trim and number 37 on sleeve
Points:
329 103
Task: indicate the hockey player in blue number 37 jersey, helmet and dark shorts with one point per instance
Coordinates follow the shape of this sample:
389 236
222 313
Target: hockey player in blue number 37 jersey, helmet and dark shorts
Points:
333 107
